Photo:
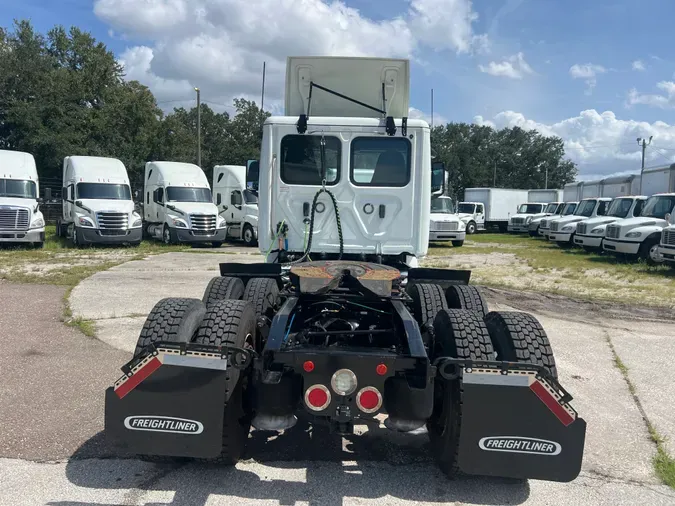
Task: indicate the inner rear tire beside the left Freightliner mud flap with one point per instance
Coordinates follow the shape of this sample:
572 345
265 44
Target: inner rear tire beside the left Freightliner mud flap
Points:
231 322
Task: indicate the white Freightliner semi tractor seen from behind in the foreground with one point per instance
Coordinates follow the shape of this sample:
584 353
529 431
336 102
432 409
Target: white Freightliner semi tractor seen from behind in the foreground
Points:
340 326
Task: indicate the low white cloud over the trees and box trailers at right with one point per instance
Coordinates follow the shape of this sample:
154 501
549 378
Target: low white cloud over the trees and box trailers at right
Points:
600 143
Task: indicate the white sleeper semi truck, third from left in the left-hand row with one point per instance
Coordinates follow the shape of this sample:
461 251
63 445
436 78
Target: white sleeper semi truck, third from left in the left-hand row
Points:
179 207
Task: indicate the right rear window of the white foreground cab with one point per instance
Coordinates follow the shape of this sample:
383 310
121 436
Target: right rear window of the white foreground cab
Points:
380 161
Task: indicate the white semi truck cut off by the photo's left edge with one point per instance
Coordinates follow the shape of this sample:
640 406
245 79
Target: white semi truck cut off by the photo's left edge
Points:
20 218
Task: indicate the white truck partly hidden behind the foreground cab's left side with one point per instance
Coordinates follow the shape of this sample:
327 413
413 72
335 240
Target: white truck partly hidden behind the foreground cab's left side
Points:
236 203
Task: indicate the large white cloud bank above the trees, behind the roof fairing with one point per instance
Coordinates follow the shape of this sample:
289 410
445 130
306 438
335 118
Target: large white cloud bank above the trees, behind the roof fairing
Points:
220 45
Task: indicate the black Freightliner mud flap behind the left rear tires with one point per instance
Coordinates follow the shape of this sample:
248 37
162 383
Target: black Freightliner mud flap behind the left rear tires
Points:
170 404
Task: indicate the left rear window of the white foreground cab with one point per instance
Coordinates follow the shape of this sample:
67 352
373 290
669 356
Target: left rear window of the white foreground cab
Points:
301 159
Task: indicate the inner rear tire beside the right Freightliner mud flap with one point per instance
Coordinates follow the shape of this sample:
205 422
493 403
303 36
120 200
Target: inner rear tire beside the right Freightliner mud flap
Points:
458 334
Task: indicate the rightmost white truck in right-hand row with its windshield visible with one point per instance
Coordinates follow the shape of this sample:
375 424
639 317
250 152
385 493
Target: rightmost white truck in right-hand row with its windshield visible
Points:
640 236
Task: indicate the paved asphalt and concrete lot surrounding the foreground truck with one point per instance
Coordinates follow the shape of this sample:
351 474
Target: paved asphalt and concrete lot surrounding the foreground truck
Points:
51 411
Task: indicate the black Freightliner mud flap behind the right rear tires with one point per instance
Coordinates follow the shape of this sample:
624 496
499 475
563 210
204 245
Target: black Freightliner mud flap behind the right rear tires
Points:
519 425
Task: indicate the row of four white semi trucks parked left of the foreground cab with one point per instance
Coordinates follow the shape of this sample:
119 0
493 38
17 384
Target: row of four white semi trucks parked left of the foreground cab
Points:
177 204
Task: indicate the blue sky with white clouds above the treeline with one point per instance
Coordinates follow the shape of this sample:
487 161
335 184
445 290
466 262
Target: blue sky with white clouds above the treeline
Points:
599 74
